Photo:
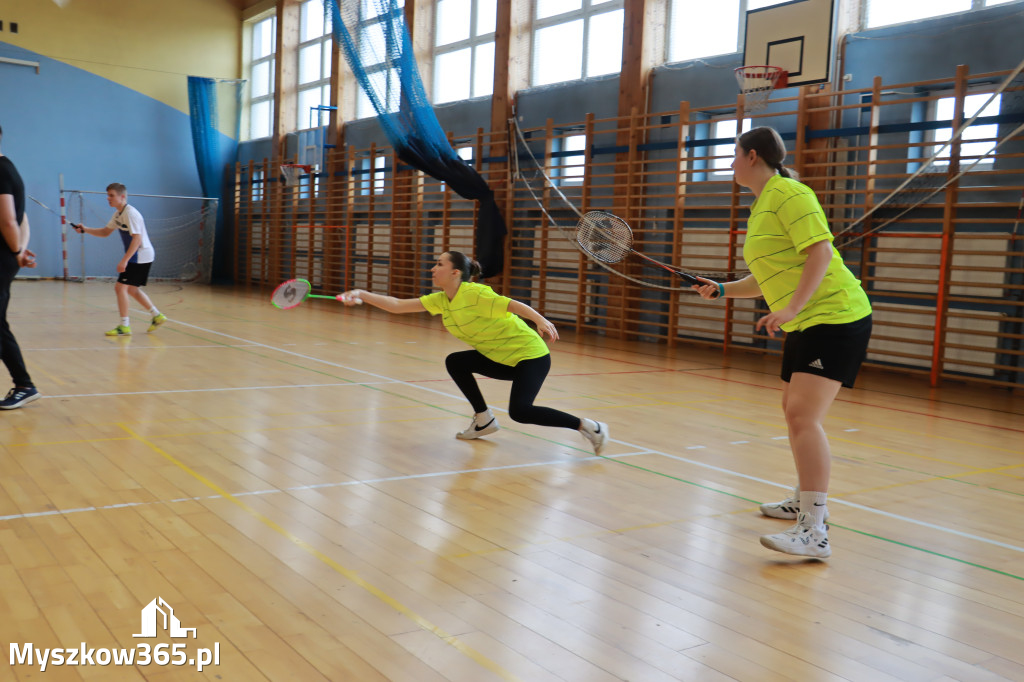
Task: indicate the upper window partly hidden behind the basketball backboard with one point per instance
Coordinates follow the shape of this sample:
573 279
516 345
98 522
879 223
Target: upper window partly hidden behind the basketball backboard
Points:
700 29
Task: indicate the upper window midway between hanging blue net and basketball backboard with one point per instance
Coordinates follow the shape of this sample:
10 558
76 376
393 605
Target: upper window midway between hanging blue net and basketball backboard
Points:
575 39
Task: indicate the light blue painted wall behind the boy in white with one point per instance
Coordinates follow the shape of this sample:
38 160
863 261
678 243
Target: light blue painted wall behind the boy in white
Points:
66 120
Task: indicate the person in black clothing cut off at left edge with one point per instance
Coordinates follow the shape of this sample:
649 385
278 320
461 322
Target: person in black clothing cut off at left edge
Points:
15 254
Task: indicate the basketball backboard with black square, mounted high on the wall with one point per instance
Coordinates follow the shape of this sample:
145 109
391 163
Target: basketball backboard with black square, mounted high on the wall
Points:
796 36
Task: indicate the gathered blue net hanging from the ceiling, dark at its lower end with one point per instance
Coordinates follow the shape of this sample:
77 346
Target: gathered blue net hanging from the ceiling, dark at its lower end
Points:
373 37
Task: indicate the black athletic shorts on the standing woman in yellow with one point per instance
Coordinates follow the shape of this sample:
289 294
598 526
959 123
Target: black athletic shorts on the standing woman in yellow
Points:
834 352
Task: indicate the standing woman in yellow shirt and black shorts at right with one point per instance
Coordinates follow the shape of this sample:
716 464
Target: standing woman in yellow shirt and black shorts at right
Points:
818 301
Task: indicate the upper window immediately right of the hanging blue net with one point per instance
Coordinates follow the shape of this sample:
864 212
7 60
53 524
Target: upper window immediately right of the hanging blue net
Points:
464 50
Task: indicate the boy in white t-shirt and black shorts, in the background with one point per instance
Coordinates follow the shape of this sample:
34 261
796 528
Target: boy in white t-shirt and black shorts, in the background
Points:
134 270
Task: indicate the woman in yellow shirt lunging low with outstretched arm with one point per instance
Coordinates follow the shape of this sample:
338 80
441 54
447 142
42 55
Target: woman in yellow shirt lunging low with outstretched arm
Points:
504 347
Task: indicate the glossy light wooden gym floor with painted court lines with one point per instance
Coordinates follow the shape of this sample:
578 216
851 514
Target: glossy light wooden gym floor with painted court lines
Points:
289 485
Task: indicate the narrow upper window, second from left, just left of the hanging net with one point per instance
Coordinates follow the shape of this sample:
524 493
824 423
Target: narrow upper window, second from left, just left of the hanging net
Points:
316 45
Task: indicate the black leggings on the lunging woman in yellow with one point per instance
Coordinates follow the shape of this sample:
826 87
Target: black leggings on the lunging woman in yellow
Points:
527 378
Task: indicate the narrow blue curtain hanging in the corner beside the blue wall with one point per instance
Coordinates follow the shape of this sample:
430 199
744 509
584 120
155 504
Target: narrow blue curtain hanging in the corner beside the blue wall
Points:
214 153
